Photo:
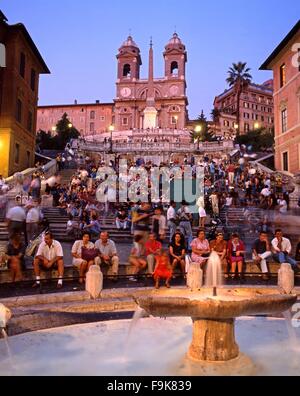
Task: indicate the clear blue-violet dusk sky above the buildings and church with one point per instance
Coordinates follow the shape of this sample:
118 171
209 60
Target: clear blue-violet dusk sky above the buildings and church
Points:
80 39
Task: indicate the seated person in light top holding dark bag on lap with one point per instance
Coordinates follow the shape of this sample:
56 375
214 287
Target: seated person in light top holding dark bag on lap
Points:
80 262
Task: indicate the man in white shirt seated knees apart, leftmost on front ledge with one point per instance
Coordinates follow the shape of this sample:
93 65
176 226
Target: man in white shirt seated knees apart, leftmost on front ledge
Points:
49 255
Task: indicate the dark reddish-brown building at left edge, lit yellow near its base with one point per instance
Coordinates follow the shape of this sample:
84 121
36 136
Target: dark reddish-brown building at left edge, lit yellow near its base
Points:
19 84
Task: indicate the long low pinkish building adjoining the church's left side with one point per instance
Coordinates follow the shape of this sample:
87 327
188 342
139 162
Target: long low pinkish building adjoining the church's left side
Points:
89 119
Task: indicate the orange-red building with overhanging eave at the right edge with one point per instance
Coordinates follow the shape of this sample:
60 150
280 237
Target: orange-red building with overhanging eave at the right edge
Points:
285 63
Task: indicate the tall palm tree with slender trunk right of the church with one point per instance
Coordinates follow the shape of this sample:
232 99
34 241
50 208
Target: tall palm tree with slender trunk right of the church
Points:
239 77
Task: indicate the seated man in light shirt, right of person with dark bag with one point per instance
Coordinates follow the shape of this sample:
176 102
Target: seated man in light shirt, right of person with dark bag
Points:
108 254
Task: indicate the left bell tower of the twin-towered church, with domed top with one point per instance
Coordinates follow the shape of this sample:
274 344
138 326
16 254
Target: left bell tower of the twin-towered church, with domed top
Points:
129 61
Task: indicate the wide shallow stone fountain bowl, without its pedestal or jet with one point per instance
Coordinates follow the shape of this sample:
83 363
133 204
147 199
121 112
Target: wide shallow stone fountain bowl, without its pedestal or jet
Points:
230 303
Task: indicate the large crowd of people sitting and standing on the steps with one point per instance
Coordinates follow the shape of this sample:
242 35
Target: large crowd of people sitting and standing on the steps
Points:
227 184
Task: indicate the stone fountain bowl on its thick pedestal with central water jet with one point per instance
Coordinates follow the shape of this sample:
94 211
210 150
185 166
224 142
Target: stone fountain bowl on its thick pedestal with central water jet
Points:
213 313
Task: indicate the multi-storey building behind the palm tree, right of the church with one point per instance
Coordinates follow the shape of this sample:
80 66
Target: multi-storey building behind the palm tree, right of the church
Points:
256 109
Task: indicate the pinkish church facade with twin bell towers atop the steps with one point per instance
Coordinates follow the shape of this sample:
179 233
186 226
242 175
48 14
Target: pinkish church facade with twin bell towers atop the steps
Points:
154 102
